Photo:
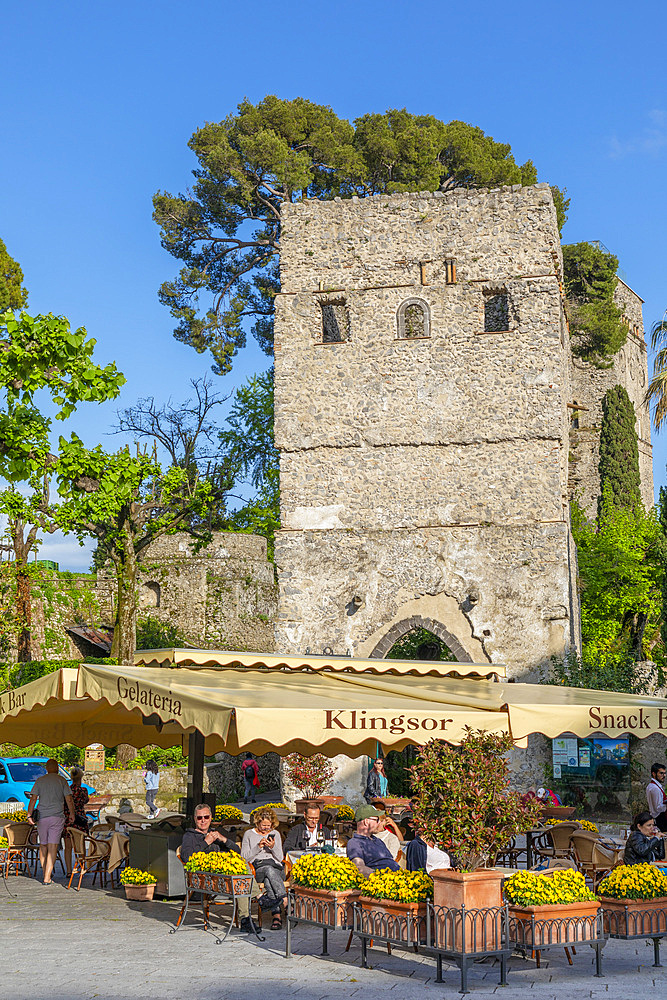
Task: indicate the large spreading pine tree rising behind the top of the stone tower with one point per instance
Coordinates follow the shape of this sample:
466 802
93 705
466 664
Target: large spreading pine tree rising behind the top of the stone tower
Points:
226 232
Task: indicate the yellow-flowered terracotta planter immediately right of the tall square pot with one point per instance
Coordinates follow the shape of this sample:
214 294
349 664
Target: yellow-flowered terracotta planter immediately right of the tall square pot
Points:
536 898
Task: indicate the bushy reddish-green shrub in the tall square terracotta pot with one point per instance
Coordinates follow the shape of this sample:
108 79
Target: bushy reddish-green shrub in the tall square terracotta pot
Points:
463 803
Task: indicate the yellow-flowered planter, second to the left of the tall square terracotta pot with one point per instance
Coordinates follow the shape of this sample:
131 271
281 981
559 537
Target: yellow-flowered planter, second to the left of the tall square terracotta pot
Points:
325 886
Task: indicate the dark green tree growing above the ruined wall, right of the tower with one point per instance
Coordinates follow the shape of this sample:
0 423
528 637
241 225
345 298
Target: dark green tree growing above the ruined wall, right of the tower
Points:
589 277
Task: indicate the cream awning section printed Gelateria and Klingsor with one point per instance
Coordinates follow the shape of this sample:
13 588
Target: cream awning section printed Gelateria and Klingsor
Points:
292 711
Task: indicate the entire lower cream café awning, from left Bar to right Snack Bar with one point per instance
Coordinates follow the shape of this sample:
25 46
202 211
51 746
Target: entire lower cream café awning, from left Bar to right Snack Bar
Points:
241 708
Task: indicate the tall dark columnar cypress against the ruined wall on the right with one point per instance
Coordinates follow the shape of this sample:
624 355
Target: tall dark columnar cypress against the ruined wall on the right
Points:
618 466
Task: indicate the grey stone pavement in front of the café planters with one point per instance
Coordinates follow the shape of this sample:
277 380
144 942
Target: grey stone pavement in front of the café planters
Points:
60 945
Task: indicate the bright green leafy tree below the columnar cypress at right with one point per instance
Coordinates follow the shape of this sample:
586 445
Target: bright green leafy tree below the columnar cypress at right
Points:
621 568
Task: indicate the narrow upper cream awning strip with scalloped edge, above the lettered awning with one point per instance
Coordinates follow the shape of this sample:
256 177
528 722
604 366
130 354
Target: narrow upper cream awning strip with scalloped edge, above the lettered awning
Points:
221 658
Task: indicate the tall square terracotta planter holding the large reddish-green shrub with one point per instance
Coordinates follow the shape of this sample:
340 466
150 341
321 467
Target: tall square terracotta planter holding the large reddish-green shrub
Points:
480 929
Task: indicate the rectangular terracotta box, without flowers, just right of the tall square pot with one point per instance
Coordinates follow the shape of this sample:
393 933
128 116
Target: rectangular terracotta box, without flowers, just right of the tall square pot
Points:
531 927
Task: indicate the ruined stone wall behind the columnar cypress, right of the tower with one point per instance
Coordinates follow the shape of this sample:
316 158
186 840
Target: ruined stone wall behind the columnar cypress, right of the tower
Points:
589 385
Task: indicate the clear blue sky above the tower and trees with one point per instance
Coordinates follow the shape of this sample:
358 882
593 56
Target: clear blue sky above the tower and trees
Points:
98 101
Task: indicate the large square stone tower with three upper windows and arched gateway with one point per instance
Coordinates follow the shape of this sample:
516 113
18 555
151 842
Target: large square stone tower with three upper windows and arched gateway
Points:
423 409
